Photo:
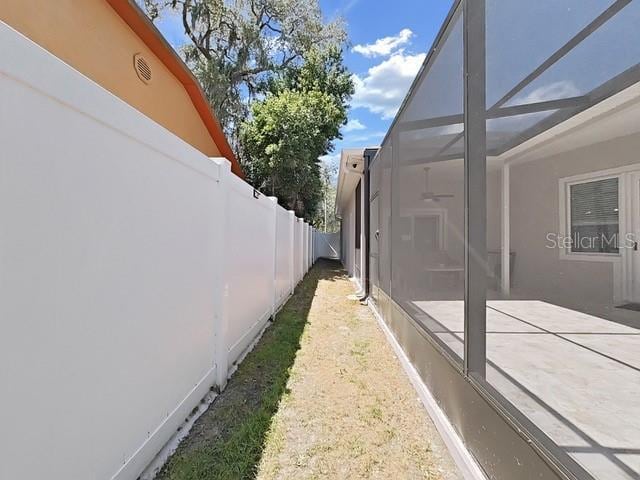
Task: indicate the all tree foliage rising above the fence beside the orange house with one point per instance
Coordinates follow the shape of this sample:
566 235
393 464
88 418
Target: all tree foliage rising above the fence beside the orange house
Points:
274 75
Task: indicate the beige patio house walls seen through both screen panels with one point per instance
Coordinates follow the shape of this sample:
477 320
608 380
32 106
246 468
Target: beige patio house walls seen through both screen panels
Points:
534 212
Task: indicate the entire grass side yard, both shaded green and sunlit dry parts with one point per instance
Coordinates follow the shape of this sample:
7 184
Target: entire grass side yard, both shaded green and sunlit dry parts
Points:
321 396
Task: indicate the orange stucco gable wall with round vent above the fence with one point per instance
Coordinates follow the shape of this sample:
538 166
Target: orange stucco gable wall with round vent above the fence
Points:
91 37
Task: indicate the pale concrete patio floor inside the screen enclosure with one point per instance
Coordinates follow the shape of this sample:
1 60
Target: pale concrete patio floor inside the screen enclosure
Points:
575 376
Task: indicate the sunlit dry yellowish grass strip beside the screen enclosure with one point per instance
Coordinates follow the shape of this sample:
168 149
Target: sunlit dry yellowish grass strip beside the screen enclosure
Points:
351 411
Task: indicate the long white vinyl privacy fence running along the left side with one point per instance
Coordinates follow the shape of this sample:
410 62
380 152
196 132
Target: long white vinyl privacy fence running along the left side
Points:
134 272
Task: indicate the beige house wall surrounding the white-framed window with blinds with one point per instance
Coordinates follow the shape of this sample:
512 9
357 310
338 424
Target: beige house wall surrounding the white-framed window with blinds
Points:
535 211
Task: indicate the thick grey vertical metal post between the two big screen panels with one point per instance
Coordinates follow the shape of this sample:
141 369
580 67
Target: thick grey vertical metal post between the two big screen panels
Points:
475 161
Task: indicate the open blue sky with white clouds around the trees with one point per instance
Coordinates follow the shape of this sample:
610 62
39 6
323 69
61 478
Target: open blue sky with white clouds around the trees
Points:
388 43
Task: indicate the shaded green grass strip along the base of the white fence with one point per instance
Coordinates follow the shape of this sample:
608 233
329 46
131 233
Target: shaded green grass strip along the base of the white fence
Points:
228 439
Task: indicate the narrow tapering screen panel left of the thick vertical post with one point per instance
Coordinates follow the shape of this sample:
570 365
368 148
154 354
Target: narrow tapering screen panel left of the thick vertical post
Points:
427 196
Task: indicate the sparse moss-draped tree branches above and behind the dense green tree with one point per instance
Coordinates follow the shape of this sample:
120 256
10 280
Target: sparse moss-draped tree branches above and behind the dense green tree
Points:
238 46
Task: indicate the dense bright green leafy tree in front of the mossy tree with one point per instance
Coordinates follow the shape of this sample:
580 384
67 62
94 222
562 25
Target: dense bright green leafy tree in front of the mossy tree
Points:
295 125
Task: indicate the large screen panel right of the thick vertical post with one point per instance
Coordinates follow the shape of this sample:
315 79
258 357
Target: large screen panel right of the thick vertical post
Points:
561 226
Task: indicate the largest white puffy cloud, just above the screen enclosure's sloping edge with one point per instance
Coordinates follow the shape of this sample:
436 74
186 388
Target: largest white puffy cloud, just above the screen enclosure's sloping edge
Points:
384 87
